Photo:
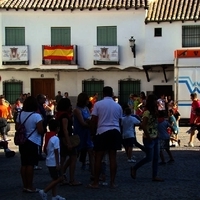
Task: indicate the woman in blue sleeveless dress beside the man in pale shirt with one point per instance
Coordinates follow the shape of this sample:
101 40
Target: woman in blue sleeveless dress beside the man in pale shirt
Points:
81 127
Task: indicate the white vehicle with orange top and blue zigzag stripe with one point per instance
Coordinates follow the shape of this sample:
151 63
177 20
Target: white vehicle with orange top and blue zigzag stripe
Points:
186 79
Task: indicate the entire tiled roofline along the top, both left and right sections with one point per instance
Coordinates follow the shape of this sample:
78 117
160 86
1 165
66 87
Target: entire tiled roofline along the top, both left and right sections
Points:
158 10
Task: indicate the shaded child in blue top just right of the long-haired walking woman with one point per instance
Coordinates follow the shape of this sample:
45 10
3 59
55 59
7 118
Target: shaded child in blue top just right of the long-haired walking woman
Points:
164 138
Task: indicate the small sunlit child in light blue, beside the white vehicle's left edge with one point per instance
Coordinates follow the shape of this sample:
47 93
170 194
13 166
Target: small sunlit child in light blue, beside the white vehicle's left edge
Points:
175 128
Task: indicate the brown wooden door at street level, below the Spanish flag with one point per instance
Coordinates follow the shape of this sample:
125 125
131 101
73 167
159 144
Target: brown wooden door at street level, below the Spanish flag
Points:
43 86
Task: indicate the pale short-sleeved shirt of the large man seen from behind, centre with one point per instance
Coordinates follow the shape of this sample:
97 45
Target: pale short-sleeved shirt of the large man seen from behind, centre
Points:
109 113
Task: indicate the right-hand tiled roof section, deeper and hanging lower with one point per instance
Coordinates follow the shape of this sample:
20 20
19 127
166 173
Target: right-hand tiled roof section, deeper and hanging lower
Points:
173 10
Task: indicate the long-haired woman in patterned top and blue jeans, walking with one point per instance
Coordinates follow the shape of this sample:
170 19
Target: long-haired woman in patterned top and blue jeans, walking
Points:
150 138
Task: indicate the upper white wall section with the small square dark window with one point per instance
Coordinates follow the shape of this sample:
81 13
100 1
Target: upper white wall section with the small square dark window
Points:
160 50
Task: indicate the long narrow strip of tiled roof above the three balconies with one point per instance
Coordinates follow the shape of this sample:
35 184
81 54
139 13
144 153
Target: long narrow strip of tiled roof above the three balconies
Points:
72 4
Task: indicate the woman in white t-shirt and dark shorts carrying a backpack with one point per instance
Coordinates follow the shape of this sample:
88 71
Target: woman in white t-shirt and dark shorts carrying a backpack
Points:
29 150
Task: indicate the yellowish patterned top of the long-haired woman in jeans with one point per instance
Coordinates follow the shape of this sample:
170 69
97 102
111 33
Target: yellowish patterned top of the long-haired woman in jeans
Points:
151 125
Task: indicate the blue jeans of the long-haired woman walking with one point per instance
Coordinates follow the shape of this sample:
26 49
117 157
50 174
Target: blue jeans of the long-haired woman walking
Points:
152 154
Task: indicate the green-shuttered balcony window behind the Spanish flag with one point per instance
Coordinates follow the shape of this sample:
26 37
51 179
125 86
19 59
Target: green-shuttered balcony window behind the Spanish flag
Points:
60 36
